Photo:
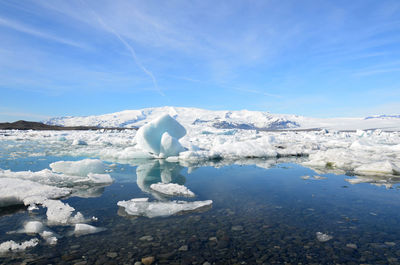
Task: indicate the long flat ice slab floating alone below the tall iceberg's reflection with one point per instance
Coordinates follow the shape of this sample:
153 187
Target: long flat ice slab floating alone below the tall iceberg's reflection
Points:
141 206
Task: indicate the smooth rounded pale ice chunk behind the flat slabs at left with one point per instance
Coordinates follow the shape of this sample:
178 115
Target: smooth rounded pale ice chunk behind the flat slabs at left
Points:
79 168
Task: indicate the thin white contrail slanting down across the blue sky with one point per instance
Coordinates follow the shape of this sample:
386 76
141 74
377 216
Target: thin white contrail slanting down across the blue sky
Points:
129 47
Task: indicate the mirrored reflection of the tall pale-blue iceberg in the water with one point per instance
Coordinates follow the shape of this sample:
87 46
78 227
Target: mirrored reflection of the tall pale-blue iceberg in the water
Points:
158 171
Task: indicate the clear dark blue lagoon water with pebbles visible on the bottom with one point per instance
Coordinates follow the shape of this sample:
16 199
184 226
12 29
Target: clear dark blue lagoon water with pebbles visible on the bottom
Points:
258 216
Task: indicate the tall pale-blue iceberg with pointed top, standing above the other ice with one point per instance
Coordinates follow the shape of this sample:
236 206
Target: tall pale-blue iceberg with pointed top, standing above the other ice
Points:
150 136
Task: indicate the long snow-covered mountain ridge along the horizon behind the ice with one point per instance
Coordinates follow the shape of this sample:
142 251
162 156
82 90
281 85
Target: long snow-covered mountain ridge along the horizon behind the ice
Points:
243 119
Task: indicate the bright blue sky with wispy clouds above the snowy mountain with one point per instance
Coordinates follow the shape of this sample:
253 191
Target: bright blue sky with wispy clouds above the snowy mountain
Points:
314 58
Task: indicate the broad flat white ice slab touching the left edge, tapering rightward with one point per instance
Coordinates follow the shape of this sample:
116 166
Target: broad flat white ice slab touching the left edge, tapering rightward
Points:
16 191
